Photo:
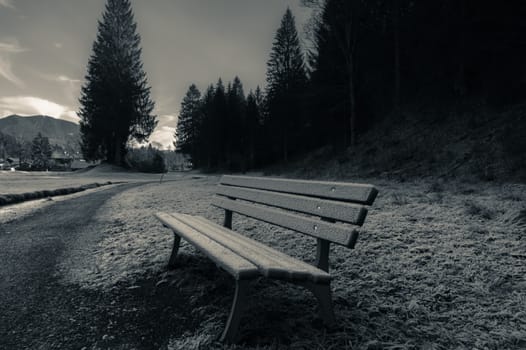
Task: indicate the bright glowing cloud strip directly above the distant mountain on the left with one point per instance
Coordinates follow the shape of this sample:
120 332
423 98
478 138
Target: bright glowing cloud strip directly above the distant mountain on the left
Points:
30 105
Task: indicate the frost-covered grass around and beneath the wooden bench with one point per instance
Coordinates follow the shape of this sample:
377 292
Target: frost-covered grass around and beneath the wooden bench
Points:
437 266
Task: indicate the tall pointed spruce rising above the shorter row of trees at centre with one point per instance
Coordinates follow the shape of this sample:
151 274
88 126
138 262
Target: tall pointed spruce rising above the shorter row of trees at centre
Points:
286 81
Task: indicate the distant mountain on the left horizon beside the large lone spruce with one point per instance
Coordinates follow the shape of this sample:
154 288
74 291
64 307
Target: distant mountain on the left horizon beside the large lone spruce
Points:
59 132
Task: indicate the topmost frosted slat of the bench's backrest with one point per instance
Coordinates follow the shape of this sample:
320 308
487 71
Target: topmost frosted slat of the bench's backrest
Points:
349 192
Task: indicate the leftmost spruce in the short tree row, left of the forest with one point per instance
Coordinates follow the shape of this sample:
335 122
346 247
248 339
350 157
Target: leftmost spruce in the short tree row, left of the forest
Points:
189 123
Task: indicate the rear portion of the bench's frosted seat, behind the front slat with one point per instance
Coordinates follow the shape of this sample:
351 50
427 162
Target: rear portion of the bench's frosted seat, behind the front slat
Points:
271 262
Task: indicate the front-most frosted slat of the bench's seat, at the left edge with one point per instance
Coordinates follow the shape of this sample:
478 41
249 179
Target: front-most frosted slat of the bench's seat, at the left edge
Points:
239 267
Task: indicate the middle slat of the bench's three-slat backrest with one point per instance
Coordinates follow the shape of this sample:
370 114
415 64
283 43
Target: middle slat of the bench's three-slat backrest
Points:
345 212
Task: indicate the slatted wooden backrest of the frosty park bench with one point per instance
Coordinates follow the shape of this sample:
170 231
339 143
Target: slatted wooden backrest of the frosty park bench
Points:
334 209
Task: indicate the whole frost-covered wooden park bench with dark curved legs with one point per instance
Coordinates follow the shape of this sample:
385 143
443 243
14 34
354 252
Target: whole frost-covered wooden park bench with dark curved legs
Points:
330 212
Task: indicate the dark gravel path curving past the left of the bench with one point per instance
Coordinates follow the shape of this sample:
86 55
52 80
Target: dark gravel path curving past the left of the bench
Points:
39 311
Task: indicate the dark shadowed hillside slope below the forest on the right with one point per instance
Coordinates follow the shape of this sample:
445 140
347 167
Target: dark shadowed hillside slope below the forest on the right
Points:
482 146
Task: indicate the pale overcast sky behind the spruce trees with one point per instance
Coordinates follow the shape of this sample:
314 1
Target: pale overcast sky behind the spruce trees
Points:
45 46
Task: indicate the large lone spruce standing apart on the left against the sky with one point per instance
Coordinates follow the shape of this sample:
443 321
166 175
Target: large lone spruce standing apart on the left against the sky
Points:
115 98
